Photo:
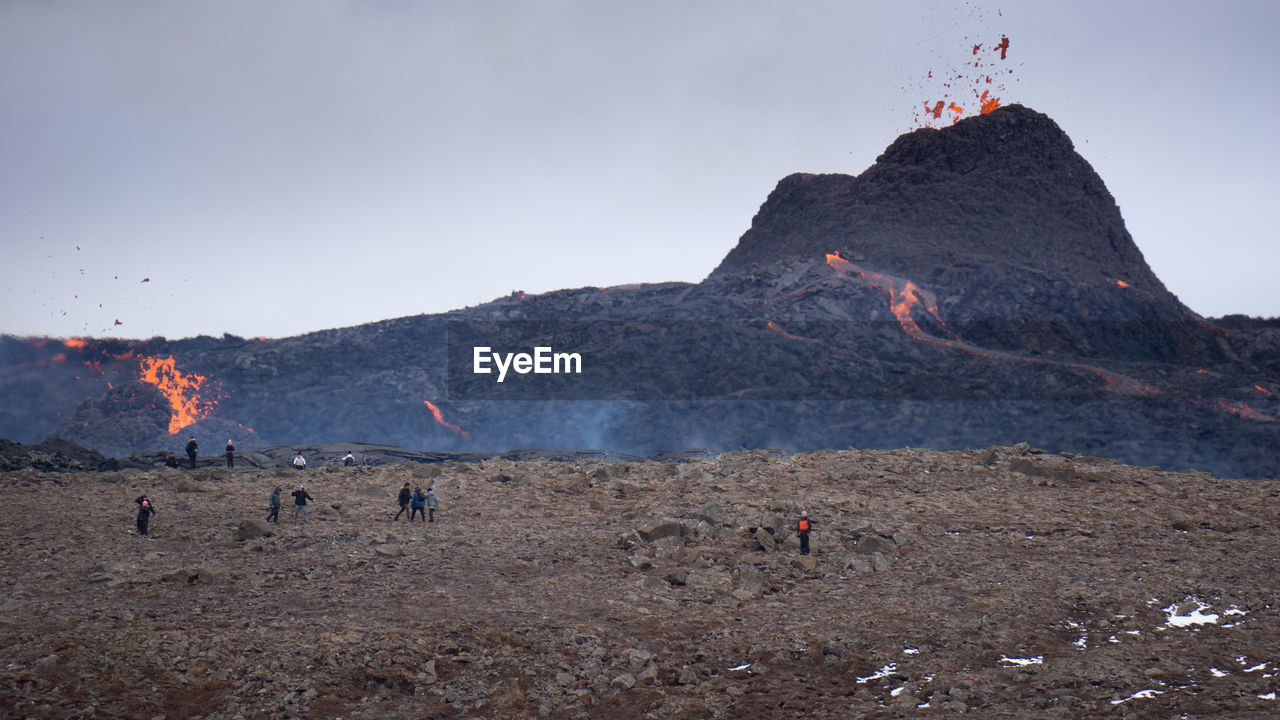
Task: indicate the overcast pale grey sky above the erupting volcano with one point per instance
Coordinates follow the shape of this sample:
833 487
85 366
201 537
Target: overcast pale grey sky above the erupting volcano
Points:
282 167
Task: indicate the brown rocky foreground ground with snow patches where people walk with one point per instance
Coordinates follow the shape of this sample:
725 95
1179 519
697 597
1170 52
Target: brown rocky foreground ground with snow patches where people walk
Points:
998 584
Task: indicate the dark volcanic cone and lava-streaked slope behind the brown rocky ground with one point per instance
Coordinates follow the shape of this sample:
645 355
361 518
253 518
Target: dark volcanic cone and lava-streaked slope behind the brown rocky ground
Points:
975 288
